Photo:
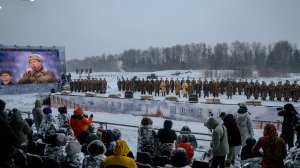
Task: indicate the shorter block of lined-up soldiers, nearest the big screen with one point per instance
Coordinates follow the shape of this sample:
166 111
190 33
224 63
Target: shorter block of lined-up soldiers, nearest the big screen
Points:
89 85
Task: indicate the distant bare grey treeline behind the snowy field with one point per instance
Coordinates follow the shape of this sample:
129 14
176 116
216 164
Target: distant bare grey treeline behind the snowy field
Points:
281 57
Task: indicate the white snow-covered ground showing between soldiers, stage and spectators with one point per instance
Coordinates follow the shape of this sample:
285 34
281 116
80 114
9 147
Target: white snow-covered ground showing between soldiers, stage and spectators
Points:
25 102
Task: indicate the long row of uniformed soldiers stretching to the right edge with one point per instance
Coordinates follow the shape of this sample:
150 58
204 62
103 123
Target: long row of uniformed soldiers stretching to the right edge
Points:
215 88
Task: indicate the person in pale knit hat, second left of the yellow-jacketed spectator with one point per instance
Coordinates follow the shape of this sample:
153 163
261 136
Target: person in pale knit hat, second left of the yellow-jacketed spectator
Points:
74 157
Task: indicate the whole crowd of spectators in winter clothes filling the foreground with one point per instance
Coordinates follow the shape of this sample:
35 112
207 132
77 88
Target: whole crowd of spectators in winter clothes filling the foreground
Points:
70 141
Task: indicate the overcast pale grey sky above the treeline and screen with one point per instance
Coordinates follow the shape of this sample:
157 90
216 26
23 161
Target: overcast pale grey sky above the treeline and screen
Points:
94 27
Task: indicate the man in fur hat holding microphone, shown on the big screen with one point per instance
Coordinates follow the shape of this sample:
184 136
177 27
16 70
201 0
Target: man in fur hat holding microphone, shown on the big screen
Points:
36 73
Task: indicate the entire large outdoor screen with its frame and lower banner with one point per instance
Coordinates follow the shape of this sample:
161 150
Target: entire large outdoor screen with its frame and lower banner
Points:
30 69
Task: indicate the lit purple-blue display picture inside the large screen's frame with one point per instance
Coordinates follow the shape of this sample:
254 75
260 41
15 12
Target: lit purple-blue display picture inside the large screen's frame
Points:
35 66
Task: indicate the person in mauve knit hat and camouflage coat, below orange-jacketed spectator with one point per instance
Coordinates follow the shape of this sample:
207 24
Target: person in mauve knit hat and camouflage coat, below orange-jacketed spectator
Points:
56 149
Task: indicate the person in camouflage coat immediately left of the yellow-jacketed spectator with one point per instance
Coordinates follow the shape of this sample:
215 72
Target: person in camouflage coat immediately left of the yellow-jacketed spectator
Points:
96 150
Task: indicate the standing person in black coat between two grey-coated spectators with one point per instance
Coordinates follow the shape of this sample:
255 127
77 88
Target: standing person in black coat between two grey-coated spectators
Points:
234 136
